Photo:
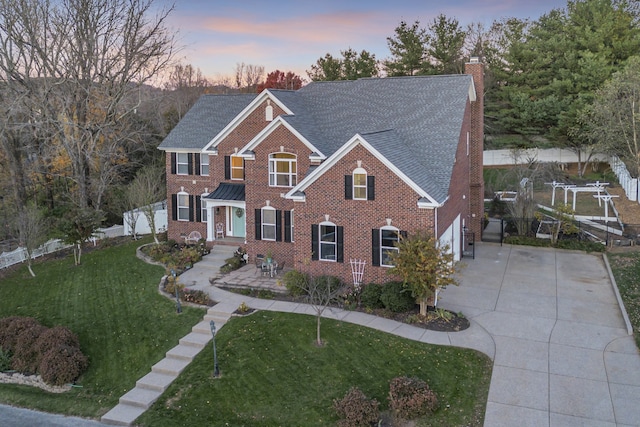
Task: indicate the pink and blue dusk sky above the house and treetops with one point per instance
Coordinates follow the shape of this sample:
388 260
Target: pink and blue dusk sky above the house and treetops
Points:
292 35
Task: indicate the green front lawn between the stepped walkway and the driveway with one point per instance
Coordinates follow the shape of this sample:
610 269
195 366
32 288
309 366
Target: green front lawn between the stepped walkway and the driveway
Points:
274 375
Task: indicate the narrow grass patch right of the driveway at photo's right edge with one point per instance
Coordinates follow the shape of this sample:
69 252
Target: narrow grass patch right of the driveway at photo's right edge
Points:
626 270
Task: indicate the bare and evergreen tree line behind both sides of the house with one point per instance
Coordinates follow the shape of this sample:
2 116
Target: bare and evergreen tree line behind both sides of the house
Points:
88 89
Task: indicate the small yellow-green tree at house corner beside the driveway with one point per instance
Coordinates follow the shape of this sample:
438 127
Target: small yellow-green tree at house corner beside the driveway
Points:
425 266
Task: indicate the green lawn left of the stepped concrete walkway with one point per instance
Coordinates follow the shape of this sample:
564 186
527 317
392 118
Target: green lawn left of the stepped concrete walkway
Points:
111 302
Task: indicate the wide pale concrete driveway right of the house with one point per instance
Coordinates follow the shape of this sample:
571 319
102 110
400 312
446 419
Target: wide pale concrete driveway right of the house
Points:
563 352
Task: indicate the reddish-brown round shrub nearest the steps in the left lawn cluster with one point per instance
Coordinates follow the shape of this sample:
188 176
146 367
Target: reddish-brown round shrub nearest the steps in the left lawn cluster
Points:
62 365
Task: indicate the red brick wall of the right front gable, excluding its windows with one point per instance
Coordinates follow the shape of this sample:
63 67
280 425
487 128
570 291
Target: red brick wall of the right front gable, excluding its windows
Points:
393 199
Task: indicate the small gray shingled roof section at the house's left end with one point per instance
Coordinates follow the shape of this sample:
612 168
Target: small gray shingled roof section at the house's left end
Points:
208 116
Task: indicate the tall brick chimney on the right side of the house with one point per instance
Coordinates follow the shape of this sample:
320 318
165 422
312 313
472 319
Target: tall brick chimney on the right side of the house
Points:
476 146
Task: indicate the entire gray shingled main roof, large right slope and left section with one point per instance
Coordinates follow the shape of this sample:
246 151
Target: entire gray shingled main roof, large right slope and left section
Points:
415 122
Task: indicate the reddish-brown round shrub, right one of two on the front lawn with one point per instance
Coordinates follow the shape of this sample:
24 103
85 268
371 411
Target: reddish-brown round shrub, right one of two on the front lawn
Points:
411 397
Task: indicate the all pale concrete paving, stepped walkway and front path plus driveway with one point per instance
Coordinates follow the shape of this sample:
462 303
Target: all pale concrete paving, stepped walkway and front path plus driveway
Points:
563 354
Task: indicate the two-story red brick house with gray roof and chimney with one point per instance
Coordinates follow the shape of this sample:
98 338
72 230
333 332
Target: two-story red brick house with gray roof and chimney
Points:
333 171
